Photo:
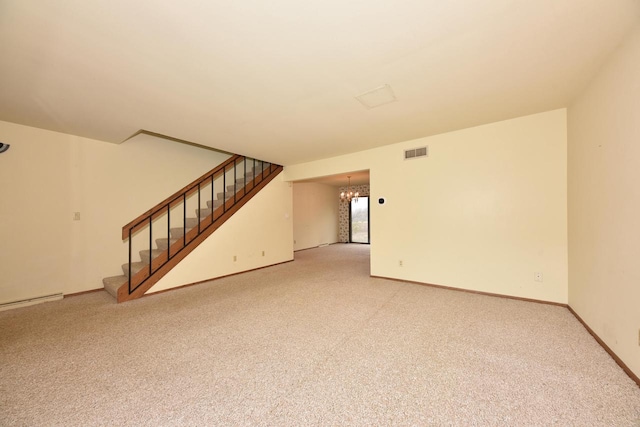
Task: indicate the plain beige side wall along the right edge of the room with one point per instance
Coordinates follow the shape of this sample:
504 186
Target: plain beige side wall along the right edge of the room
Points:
604 203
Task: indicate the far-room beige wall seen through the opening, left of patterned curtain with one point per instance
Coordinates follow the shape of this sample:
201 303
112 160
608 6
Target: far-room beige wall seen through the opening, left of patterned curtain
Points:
315 215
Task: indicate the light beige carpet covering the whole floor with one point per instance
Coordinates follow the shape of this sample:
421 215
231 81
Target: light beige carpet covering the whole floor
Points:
312 342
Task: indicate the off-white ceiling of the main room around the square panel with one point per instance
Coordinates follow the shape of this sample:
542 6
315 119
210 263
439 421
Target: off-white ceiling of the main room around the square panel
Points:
277 80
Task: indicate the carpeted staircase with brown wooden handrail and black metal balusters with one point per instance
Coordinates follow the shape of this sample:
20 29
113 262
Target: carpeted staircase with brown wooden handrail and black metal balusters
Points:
181 222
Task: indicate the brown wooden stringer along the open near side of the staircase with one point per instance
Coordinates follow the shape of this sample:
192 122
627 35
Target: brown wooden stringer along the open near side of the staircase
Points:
194 240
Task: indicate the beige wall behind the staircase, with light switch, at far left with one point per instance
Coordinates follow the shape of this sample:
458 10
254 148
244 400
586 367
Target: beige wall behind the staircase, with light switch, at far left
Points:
47 176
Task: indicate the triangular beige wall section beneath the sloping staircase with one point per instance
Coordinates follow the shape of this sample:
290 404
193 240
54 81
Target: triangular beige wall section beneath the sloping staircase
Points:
263 224
